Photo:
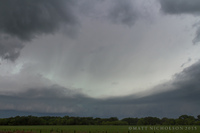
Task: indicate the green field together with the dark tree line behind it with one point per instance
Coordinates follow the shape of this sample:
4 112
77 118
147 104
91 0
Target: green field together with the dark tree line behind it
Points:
68 124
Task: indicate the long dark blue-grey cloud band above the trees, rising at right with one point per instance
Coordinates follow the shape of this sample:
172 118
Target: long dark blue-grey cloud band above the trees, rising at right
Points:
181 97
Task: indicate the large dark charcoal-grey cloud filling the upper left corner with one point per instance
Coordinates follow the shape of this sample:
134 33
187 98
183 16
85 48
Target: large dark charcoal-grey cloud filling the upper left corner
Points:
27 19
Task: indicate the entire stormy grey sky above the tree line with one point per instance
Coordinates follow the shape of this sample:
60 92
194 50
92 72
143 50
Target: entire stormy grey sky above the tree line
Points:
100 58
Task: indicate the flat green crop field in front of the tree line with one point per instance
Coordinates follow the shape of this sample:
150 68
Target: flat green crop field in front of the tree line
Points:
100 129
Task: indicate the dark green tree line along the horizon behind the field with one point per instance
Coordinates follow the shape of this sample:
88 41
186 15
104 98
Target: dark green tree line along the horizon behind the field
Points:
67 120
